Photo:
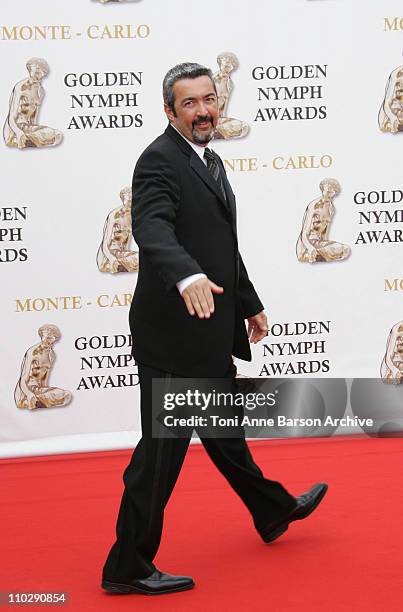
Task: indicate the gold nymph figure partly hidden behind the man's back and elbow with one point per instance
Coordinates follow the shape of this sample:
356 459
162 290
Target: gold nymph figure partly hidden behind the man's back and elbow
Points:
114 254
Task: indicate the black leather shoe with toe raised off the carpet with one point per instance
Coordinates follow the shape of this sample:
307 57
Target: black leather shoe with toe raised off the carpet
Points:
306 504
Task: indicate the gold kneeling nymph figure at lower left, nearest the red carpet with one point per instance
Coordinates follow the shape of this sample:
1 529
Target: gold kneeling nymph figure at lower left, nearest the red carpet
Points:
33 389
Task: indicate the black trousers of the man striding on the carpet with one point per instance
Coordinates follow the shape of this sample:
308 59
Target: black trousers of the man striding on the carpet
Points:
151 476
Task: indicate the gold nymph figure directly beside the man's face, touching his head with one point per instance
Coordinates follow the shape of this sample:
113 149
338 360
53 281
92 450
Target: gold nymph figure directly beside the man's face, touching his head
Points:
227 127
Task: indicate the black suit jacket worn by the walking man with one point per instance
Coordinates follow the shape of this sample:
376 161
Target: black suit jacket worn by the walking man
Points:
183 225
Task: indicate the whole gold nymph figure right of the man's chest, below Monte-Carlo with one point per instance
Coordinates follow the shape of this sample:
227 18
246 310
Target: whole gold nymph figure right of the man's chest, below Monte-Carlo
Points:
313 243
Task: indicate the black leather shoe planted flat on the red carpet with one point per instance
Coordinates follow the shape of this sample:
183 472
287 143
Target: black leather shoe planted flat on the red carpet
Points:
156 584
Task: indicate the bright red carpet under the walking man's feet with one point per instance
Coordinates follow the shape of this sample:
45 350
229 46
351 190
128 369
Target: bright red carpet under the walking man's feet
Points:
58 516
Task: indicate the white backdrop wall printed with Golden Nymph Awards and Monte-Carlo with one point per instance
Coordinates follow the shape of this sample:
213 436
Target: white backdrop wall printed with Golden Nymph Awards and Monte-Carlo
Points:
57 198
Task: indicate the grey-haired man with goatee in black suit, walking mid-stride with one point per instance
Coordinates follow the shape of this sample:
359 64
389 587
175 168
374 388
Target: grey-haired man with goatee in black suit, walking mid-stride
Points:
187 319
